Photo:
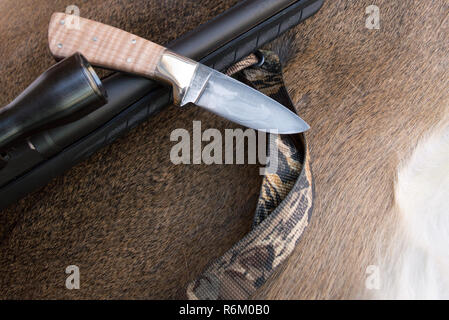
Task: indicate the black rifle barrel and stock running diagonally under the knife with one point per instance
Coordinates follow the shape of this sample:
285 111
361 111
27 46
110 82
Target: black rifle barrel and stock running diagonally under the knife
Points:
218 43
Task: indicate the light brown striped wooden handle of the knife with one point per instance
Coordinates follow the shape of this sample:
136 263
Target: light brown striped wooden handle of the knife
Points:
102 45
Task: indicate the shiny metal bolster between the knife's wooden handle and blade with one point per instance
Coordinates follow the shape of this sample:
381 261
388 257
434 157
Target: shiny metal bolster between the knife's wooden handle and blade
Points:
177 71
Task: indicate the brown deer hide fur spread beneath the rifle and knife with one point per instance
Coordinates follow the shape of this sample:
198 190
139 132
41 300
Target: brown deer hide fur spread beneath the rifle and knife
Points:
140 227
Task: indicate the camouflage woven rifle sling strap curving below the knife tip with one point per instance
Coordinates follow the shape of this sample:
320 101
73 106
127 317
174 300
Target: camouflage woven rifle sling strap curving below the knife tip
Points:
283 211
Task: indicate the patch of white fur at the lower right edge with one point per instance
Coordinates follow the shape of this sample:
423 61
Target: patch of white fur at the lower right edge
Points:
415 263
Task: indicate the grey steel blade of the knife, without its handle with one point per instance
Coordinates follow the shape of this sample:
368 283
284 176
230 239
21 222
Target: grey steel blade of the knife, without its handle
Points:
240 103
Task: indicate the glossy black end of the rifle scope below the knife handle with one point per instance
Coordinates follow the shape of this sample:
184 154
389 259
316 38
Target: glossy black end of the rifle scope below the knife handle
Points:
64 93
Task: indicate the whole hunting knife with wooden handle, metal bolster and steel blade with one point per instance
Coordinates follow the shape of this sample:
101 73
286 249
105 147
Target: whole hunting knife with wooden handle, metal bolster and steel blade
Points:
109 47
